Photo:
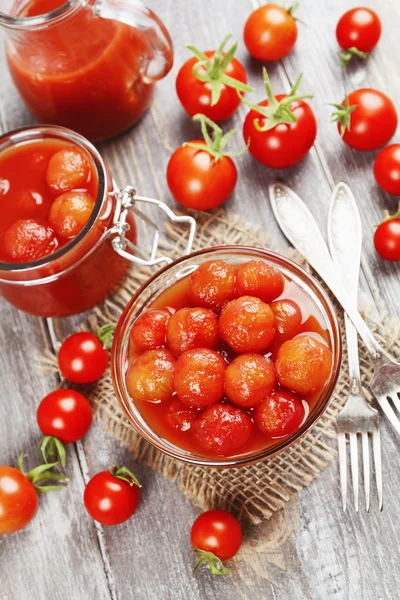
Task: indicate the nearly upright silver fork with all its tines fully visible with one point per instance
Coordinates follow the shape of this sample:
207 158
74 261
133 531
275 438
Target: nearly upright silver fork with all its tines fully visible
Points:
357 416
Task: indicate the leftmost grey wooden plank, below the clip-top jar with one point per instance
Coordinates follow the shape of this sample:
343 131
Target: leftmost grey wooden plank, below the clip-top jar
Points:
57 555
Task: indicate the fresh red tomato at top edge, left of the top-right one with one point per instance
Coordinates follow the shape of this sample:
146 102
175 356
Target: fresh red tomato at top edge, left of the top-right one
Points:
270 32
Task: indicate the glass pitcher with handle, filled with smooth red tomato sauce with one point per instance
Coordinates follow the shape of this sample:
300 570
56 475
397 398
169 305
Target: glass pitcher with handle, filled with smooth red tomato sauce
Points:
89 65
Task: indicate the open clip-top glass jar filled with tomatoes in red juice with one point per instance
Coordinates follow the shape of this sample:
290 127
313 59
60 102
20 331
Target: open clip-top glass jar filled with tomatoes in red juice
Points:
51 264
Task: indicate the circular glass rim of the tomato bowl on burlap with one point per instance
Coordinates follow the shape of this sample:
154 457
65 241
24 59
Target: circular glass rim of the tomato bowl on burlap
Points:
170 449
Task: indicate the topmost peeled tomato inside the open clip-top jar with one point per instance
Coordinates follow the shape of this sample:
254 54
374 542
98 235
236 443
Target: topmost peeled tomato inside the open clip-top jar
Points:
67 169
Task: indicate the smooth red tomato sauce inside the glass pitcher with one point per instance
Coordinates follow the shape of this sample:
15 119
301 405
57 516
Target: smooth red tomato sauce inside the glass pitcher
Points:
82 73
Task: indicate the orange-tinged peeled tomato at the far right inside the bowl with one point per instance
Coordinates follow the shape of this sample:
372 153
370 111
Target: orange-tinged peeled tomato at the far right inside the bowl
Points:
303 364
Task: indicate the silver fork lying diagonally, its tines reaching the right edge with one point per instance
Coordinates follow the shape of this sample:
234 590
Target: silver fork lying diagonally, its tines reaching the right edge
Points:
301 229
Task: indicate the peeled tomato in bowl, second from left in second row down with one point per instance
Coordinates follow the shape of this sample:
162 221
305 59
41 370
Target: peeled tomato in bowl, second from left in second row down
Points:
192 328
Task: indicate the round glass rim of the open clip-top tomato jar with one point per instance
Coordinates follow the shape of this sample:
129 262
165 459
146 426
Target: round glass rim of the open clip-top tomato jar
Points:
40 132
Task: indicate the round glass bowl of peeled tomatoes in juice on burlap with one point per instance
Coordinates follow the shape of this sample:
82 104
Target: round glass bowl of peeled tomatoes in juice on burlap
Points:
227 356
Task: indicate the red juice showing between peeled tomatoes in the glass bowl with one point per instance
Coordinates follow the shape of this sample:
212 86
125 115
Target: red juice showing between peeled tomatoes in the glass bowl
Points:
156 414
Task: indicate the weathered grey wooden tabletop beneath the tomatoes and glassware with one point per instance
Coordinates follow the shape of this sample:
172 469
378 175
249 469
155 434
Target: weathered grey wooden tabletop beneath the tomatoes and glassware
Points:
309 551
